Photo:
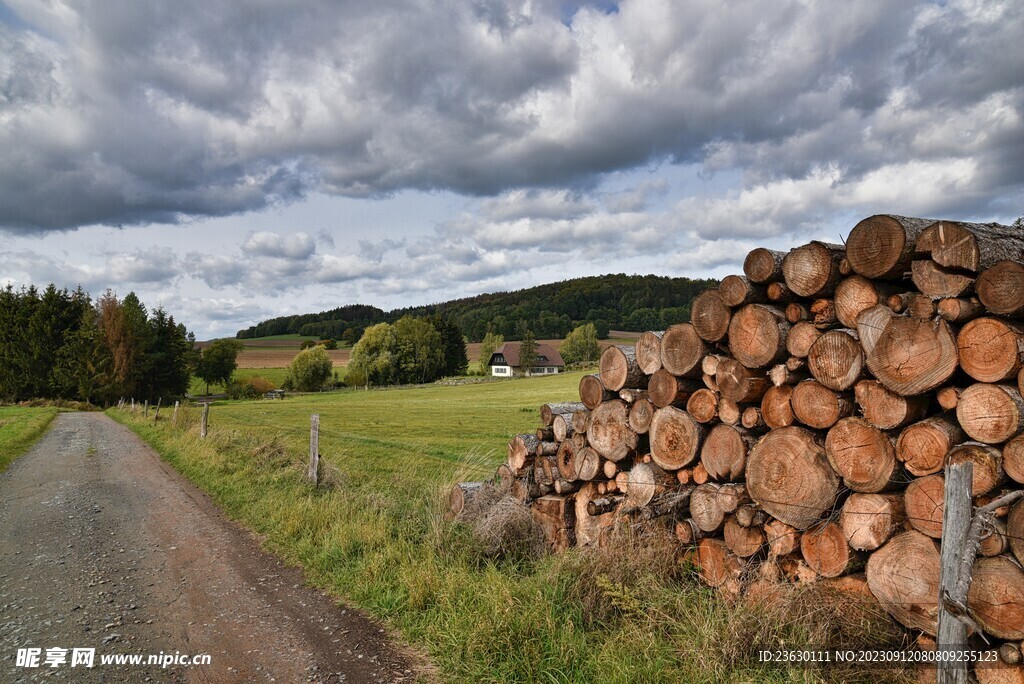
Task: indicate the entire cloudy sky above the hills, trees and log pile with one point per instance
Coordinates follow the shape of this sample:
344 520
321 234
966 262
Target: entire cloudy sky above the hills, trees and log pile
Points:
234 161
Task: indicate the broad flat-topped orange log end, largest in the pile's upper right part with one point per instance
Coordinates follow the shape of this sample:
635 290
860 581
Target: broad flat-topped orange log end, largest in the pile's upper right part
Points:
914 357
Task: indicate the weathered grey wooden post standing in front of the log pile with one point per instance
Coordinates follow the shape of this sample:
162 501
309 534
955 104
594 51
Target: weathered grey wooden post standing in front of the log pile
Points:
956 529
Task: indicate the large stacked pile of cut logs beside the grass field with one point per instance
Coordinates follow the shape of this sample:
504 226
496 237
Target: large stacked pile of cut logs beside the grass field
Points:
797 427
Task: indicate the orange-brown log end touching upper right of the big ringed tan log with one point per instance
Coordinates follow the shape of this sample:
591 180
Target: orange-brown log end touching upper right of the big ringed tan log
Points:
863 455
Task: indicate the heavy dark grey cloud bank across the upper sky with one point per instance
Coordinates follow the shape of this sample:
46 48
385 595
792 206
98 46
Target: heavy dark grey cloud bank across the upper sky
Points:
138 112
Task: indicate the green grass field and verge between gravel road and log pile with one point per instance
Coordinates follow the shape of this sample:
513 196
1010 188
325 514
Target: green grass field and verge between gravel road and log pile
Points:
375 536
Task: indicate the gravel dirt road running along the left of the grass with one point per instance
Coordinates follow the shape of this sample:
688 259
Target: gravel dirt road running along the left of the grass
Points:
104 546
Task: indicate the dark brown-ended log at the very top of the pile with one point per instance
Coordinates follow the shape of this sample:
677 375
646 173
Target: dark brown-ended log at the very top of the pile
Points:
883 246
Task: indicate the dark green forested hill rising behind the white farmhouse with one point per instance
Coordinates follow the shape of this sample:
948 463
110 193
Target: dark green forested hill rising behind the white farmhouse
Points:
617 302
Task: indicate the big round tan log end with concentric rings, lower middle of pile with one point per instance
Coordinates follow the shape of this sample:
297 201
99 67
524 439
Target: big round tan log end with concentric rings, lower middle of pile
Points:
789 477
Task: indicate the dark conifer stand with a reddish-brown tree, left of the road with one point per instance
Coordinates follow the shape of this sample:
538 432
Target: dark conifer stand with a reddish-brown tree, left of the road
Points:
60 345
